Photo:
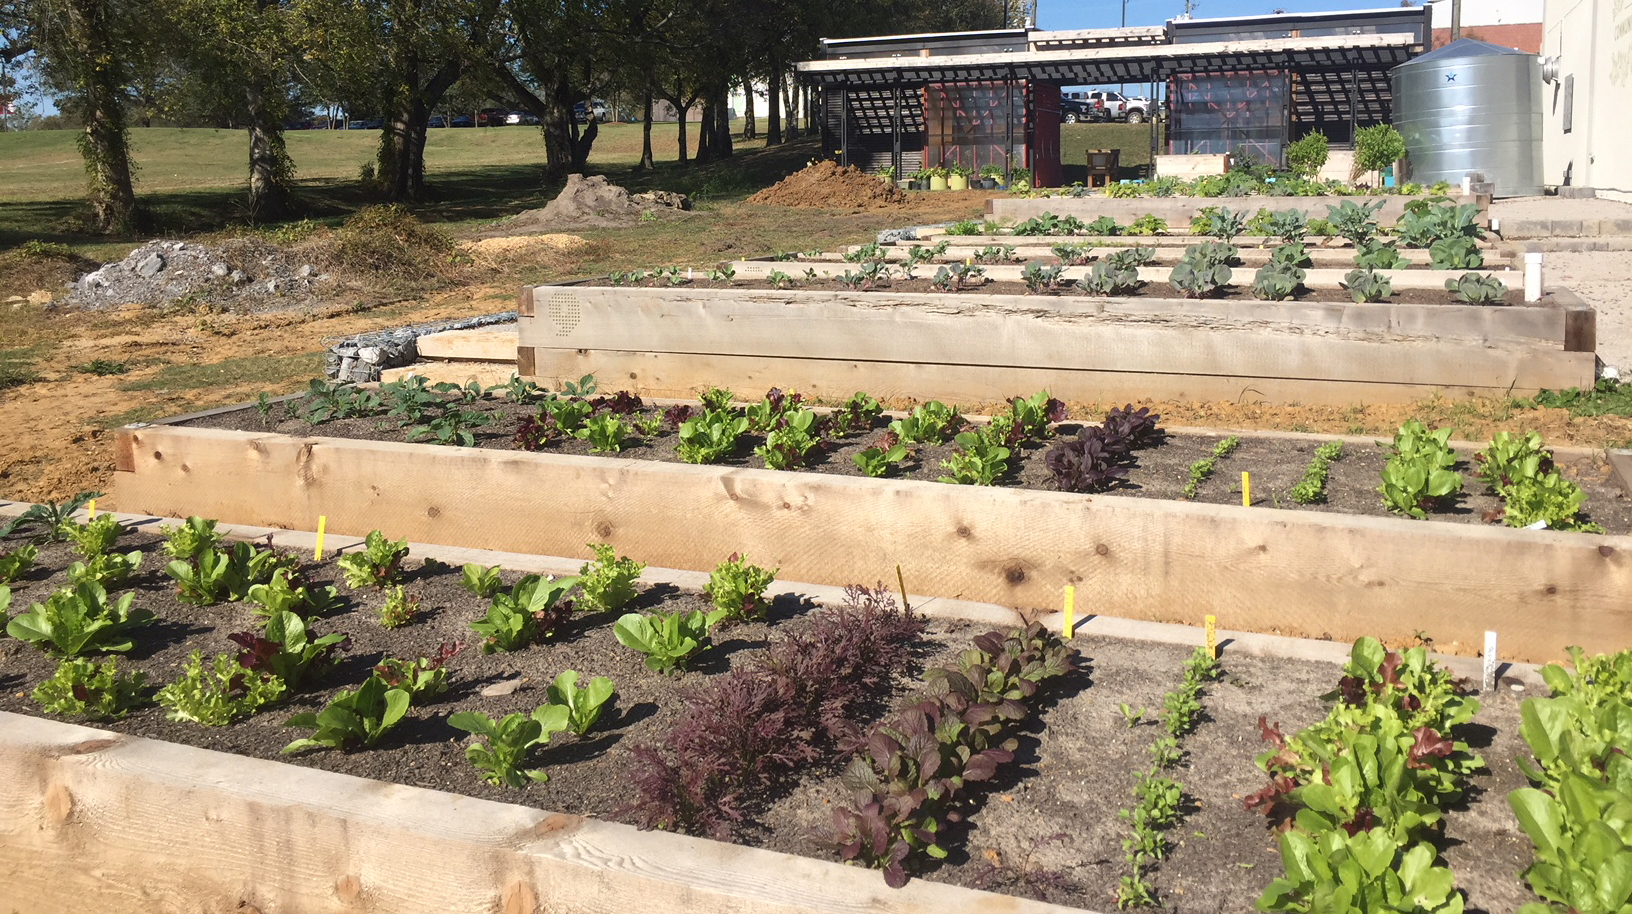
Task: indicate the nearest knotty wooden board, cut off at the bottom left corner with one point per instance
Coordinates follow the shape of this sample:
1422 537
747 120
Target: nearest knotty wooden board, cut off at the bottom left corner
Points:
102 823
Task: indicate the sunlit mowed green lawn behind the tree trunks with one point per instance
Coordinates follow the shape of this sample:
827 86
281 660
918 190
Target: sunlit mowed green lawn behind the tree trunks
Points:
195 180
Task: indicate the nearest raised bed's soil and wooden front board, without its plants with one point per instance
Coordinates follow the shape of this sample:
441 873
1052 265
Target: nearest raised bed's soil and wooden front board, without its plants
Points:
110 820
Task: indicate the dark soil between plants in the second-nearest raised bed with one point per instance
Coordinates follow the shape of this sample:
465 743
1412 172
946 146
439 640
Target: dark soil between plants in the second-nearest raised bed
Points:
1275 464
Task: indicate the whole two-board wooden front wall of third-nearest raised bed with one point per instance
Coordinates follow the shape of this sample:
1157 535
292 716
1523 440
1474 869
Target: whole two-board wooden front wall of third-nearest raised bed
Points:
673 342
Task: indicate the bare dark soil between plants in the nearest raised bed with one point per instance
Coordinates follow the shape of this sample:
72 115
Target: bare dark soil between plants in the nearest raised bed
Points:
1045 828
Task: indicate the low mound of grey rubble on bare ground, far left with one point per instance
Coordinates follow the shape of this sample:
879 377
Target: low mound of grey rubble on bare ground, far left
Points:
242 275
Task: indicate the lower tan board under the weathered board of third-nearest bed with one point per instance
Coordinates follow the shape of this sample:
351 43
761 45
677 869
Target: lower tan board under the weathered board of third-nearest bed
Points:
681 375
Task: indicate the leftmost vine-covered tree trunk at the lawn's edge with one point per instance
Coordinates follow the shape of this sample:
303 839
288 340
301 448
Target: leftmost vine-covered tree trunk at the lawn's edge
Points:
105 143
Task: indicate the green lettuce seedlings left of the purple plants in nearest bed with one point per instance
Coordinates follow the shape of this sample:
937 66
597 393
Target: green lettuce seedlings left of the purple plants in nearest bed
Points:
288 654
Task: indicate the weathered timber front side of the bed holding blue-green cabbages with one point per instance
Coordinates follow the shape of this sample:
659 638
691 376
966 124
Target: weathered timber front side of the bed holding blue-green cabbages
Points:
1375 348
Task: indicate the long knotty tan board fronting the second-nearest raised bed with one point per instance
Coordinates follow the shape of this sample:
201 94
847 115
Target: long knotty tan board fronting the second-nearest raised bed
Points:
1261 570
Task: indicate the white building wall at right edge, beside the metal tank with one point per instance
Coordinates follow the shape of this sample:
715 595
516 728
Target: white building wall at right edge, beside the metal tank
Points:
1594 45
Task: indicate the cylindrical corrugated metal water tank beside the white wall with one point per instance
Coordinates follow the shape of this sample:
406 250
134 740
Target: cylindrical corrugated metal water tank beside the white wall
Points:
1473 107
